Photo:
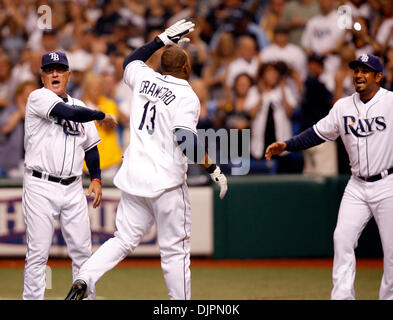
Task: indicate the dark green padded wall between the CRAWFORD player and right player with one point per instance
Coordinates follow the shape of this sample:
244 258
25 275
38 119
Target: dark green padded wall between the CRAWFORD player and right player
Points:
282 216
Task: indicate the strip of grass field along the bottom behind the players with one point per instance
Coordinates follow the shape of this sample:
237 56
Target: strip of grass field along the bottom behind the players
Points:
207 283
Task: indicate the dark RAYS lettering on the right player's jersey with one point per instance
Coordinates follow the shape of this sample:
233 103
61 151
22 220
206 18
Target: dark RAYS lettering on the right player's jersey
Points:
362 128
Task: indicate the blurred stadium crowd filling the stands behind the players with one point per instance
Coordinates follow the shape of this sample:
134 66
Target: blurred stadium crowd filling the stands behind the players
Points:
272 66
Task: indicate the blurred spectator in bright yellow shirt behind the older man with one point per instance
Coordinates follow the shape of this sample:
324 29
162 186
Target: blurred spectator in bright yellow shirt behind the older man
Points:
109 147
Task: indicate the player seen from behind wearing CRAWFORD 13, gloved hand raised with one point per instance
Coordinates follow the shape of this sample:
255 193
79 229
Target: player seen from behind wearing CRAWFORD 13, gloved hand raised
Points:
152 178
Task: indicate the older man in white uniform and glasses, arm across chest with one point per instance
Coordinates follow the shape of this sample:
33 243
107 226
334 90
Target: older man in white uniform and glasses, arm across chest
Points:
58 137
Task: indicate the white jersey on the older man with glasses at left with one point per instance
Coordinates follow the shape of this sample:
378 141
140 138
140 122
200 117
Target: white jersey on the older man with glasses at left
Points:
55 146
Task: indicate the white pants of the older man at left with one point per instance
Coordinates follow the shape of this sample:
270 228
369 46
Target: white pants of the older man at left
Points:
42 201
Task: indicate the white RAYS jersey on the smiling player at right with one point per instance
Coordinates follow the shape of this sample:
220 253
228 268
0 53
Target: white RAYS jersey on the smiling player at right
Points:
366 130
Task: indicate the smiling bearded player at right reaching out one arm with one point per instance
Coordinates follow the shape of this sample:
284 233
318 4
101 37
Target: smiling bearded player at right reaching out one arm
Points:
364 121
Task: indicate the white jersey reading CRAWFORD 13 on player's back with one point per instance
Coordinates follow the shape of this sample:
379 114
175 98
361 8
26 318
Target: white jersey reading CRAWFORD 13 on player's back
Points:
152 162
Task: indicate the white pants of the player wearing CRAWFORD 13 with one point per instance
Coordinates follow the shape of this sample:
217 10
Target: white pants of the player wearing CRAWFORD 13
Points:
135 215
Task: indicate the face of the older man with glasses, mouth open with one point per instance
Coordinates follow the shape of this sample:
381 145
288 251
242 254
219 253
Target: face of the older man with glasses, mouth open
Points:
55 78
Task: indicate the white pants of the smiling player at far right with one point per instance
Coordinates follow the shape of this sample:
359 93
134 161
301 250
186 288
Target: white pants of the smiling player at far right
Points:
361 201
